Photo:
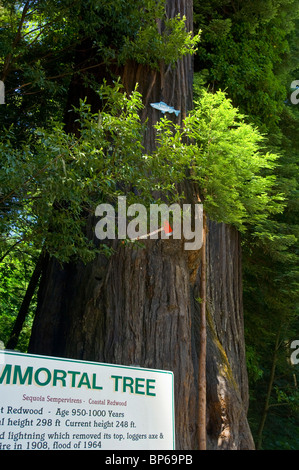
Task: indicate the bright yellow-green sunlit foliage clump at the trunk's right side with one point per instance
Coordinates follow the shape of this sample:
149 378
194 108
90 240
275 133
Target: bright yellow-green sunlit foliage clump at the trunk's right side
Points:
226 160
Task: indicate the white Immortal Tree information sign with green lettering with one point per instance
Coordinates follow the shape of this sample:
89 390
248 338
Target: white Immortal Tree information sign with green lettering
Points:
60 404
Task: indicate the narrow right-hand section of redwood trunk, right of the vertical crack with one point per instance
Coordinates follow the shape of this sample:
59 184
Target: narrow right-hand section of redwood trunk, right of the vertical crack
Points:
227 385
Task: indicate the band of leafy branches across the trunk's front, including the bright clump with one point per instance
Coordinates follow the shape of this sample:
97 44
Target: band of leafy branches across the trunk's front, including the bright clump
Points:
62 178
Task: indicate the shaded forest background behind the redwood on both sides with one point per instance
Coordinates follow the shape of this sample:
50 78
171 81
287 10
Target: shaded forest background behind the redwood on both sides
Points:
250 51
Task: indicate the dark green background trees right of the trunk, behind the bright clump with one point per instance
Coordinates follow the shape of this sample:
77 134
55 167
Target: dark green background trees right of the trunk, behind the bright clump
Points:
250 49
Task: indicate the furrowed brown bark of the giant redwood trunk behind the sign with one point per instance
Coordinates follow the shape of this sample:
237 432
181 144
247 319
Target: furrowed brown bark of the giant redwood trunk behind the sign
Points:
139 307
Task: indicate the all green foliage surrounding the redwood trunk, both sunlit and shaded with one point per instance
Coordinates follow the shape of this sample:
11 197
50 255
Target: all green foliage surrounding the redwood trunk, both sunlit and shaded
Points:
51 181
